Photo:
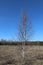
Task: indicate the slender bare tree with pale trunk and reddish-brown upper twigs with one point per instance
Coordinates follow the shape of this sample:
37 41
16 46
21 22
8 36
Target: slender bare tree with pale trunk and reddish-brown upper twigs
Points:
25 31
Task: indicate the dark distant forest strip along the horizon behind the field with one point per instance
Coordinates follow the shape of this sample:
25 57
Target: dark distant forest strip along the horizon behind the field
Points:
4 42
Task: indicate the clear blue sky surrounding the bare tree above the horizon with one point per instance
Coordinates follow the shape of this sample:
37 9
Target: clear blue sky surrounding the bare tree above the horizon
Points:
10 13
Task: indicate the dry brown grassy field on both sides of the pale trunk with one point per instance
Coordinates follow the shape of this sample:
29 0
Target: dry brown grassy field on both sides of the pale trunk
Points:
12 55
